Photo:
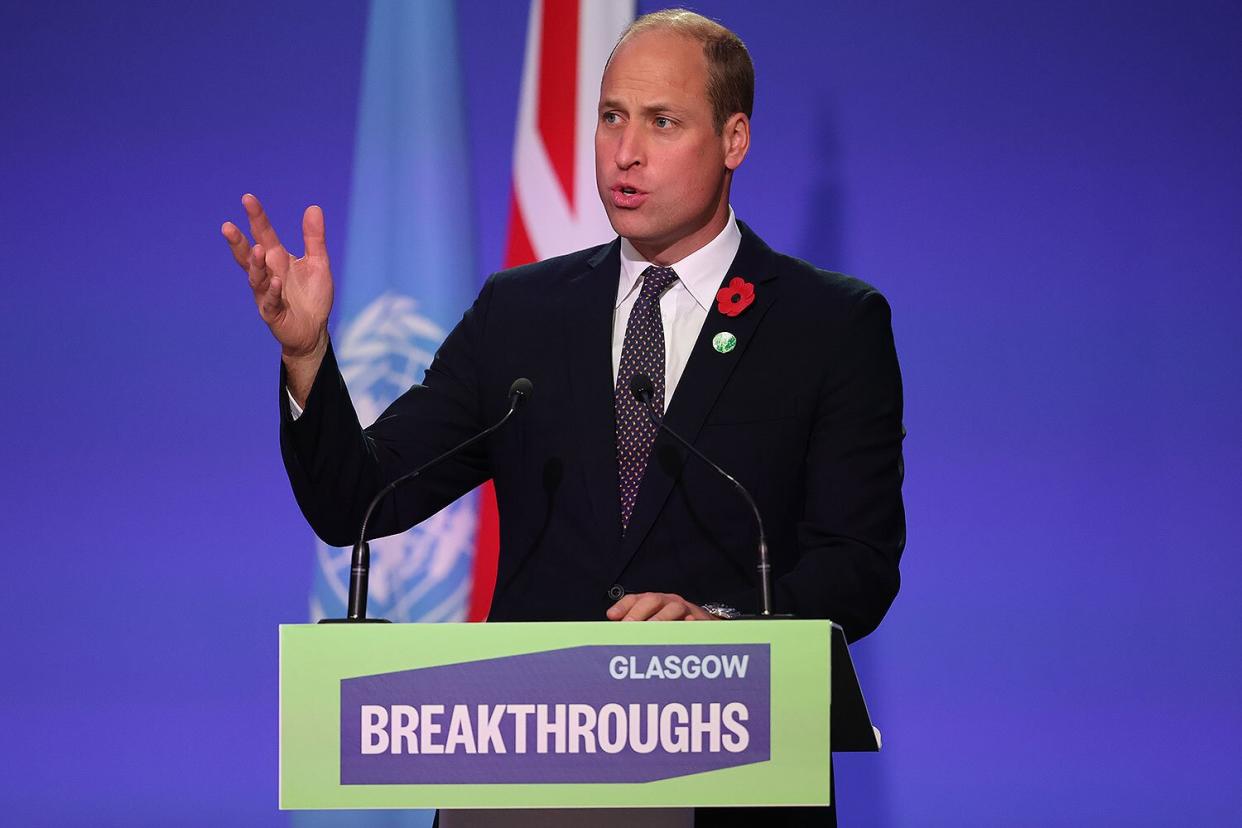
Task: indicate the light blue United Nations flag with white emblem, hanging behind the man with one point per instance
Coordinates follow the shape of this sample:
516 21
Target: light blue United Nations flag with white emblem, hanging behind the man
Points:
408 276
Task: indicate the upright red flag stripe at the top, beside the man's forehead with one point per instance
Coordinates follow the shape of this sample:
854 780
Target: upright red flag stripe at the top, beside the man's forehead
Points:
558 89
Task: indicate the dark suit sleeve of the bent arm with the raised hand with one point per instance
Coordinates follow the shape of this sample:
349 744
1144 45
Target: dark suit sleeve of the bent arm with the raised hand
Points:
336 466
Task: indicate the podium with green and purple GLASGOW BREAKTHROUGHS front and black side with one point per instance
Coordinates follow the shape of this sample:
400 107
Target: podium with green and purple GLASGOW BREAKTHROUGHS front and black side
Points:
566 716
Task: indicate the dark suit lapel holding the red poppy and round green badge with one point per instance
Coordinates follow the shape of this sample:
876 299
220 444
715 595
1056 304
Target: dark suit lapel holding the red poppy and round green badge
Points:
702 382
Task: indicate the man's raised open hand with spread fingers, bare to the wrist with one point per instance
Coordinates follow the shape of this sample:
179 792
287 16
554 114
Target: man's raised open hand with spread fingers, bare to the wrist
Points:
294 295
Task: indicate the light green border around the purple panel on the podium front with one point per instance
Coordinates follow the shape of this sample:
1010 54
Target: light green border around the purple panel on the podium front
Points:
315 660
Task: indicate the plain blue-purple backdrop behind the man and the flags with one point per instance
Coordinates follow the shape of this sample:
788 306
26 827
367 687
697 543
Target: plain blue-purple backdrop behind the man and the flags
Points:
1048 193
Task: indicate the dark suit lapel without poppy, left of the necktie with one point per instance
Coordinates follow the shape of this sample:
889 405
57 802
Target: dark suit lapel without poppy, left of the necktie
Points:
589 305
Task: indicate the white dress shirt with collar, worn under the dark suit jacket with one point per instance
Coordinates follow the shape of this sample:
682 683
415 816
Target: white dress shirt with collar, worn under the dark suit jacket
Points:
684 308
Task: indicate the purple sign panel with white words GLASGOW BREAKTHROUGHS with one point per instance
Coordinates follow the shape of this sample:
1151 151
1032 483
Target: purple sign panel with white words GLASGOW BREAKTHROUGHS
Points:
584 714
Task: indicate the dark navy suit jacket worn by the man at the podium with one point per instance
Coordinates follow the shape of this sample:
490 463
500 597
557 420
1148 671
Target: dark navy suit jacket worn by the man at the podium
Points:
805 412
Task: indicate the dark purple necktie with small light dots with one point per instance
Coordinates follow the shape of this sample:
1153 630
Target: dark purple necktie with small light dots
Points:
641 353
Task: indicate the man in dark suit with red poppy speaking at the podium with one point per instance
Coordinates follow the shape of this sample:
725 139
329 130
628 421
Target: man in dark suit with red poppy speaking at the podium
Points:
782 373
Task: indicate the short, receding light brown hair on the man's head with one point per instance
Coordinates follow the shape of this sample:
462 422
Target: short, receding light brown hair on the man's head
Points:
731 75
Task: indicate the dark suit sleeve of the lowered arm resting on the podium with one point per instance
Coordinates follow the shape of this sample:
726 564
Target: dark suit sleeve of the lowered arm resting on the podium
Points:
853 528
